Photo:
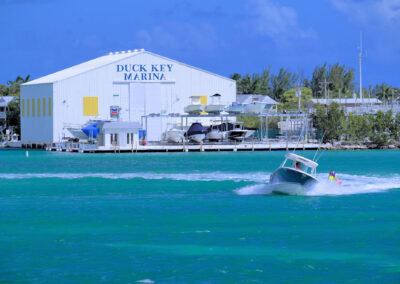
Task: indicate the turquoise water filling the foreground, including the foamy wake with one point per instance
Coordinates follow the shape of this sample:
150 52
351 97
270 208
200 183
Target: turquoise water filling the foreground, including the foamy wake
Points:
196 218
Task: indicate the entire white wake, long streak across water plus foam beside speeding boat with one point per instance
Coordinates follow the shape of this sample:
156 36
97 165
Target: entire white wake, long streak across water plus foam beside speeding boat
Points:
352 184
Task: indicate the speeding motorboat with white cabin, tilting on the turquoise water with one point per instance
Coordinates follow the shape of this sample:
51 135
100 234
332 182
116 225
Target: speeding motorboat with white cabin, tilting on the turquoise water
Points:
295 176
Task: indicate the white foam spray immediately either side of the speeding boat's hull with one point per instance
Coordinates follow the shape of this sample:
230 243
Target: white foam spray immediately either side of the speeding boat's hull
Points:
352 184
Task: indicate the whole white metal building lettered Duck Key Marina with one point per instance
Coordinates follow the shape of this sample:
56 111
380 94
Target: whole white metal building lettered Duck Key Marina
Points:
137 82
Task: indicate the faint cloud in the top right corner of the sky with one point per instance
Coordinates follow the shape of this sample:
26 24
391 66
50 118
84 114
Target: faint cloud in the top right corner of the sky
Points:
370 12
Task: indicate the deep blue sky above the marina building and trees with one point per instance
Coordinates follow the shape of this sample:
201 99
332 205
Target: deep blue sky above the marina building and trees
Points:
44 36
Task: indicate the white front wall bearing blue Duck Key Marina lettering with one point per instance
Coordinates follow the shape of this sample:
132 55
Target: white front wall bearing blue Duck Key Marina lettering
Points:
169 93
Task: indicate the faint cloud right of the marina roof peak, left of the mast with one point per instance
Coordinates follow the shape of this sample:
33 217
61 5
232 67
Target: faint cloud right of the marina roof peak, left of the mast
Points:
280 23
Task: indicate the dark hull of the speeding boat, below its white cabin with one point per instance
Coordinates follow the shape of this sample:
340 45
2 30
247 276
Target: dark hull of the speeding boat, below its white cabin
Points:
291 181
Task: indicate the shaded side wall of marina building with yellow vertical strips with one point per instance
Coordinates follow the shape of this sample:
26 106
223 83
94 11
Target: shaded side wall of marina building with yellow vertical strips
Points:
37 122
